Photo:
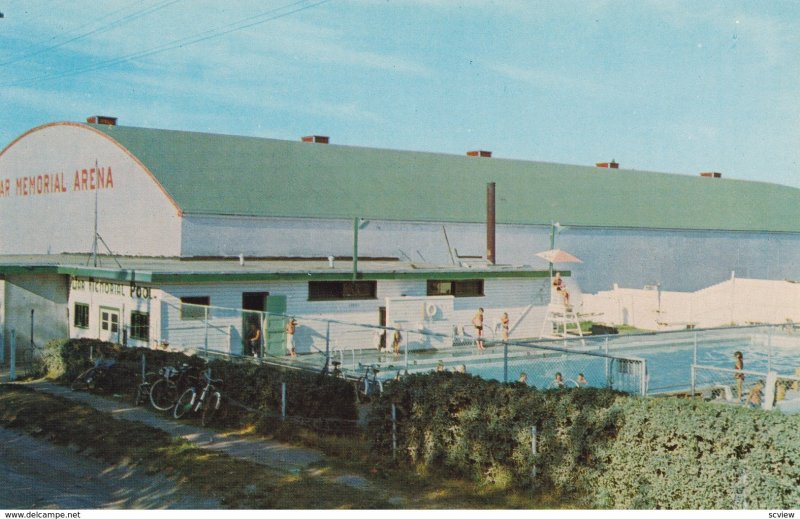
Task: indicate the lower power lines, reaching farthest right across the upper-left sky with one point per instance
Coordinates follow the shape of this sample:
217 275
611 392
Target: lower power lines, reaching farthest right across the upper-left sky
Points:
245 23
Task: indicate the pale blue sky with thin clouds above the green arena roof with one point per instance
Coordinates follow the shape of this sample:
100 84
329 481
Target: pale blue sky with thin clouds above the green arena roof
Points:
669 86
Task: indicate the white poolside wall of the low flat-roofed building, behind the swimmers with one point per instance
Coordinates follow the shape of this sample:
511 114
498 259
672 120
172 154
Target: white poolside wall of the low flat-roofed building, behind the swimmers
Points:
525 301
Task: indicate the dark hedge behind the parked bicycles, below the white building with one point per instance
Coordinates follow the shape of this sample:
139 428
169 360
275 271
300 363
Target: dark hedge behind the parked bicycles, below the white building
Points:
258 387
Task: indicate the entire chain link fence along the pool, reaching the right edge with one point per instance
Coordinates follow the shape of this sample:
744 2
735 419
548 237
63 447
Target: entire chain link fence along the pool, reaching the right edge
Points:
649 363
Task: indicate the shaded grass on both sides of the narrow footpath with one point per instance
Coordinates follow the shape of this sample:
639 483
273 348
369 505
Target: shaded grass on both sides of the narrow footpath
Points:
241 484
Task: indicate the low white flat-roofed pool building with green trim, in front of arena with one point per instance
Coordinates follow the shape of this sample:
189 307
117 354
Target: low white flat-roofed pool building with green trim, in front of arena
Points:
214 304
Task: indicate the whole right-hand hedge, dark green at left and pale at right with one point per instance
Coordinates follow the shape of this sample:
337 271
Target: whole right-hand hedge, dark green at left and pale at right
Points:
596 447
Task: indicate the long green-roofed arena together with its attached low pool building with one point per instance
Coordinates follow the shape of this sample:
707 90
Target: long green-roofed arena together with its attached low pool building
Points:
112 231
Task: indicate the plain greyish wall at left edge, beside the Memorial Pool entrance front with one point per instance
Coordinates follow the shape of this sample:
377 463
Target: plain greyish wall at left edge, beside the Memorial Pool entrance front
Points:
46 296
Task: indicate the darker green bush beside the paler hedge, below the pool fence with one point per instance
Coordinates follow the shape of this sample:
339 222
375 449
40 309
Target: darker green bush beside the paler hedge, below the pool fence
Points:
482 430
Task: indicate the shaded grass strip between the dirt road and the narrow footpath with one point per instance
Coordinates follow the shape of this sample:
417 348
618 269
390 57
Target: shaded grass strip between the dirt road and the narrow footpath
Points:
236 483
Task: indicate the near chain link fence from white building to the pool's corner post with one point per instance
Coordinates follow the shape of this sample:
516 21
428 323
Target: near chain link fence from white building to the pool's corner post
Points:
357 350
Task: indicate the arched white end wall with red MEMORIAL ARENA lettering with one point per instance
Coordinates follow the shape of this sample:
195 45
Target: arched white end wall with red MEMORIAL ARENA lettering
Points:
135 216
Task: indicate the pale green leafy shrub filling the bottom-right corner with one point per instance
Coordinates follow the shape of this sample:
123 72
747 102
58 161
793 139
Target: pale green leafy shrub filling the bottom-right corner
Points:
683 454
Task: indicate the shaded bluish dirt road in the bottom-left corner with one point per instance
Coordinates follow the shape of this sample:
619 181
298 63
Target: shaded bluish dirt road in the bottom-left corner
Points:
35 474
